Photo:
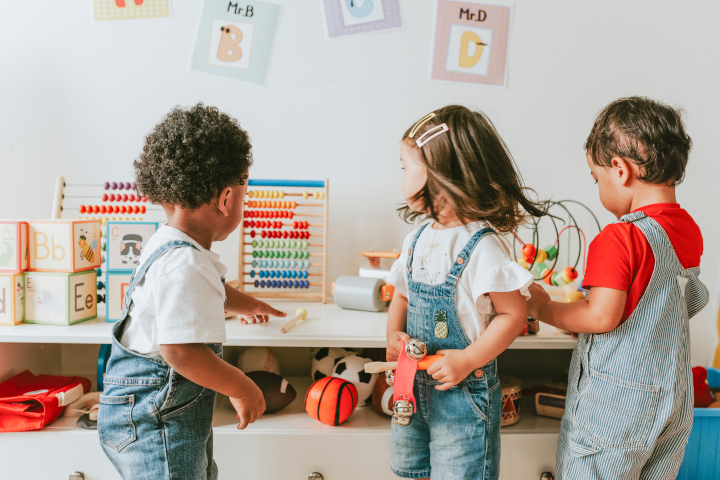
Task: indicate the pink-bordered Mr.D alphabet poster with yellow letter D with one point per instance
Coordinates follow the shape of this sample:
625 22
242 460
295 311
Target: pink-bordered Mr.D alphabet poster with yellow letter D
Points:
470 42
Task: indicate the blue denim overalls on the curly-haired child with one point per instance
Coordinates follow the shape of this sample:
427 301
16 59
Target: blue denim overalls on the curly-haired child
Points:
153 423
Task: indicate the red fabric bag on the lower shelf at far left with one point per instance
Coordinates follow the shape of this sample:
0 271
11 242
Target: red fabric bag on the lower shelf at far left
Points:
29 402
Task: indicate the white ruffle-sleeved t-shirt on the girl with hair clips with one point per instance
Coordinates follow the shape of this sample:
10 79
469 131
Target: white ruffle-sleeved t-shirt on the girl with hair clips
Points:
489 269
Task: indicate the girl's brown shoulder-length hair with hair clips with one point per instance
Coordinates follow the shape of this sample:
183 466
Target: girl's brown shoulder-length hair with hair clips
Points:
473 167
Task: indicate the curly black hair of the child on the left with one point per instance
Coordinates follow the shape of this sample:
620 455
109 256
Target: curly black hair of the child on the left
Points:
191 155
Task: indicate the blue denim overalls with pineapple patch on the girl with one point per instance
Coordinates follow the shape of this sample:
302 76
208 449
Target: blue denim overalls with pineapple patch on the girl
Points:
454 434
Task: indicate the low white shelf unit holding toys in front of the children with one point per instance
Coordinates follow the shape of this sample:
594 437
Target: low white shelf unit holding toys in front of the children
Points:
341 452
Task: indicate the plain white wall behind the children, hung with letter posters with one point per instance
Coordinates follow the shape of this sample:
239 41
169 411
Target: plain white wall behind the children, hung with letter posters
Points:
76 99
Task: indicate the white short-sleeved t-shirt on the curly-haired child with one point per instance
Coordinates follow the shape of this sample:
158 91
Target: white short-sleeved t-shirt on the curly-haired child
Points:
181 299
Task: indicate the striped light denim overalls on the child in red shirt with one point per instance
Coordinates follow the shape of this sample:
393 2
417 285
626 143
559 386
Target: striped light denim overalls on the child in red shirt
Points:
629 408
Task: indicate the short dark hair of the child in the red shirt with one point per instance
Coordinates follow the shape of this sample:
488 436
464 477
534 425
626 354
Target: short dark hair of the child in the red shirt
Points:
648 133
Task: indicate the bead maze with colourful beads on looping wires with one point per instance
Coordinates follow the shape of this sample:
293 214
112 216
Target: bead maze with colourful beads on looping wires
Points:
533 256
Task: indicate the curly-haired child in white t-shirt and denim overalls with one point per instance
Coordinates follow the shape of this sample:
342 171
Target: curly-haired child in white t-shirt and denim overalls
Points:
166 362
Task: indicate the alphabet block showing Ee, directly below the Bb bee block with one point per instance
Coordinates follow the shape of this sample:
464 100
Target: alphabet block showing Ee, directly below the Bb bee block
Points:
60 298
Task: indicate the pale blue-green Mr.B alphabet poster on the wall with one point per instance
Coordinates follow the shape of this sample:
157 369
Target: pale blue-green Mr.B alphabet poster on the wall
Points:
235 39
